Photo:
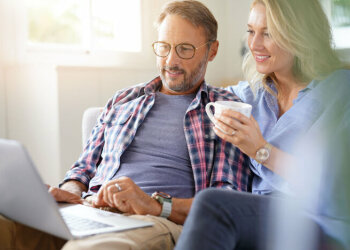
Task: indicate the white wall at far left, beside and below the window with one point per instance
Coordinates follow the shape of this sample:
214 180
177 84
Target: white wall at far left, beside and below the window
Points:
28 94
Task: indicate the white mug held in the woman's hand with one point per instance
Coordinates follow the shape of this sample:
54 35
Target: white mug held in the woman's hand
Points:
219 106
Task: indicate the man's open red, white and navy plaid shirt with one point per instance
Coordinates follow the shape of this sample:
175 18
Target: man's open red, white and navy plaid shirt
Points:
215 163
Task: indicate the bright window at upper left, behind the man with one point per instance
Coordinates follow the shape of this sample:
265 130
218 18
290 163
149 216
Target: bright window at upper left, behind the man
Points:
89 25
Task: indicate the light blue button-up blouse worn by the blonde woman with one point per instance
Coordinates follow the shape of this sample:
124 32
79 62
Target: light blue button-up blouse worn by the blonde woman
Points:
316 129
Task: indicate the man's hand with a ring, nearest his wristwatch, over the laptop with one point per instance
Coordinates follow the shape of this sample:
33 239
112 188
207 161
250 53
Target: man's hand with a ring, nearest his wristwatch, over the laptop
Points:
128 199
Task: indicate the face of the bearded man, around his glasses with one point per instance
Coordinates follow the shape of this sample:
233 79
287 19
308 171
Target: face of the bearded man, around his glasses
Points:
182 76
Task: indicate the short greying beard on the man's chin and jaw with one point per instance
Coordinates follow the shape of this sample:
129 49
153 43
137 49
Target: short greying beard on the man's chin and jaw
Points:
188 82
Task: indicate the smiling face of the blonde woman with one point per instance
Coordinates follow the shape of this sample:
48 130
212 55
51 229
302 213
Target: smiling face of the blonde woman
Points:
269 57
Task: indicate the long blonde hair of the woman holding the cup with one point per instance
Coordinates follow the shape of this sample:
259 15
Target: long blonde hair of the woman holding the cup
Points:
301 28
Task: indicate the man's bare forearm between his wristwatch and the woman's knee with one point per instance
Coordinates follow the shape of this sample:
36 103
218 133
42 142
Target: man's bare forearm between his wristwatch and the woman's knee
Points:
180 210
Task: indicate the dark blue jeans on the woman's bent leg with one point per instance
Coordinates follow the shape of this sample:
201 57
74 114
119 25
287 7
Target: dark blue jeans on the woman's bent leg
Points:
226 219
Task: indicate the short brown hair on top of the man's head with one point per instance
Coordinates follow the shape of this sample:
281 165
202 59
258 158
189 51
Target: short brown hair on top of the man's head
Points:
193 11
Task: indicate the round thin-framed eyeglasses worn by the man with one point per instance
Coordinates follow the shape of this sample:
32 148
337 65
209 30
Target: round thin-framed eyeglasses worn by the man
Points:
183 50
